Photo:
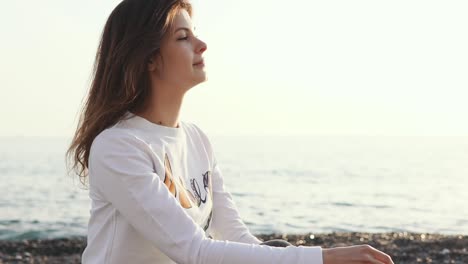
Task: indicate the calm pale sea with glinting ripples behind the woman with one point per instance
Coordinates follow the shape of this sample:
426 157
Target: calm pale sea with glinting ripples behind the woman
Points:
280 184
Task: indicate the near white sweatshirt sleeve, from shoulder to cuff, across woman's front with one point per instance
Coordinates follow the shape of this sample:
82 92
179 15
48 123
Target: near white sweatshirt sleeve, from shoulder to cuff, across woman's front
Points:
121 169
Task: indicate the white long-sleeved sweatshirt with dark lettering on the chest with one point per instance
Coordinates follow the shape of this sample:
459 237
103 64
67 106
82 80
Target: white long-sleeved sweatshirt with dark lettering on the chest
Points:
158 197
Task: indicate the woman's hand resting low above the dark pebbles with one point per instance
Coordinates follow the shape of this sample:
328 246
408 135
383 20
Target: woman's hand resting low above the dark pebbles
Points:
355 255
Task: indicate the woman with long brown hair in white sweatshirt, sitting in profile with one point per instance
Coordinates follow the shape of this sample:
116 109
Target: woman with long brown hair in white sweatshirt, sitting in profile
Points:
157 192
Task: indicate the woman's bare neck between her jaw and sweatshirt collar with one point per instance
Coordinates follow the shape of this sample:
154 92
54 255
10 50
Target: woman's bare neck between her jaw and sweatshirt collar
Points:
163 108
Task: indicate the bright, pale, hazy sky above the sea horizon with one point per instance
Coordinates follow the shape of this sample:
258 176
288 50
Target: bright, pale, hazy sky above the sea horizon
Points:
294 67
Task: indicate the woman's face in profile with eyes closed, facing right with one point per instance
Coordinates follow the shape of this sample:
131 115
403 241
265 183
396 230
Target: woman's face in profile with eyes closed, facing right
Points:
182 63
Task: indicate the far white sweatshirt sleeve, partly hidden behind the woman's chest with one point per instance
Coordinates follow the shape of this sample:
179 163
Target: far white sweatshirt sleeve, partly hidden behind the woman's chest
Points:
227 223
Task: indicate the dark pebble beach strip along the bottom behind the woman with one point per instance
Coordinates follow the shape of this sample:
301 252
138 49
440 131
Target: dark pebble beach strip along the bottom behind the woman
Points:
404 248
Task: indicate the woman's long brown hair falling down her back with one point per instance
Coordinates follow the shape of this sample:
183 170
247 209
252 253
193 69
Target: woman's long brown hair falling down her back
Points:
131 37
